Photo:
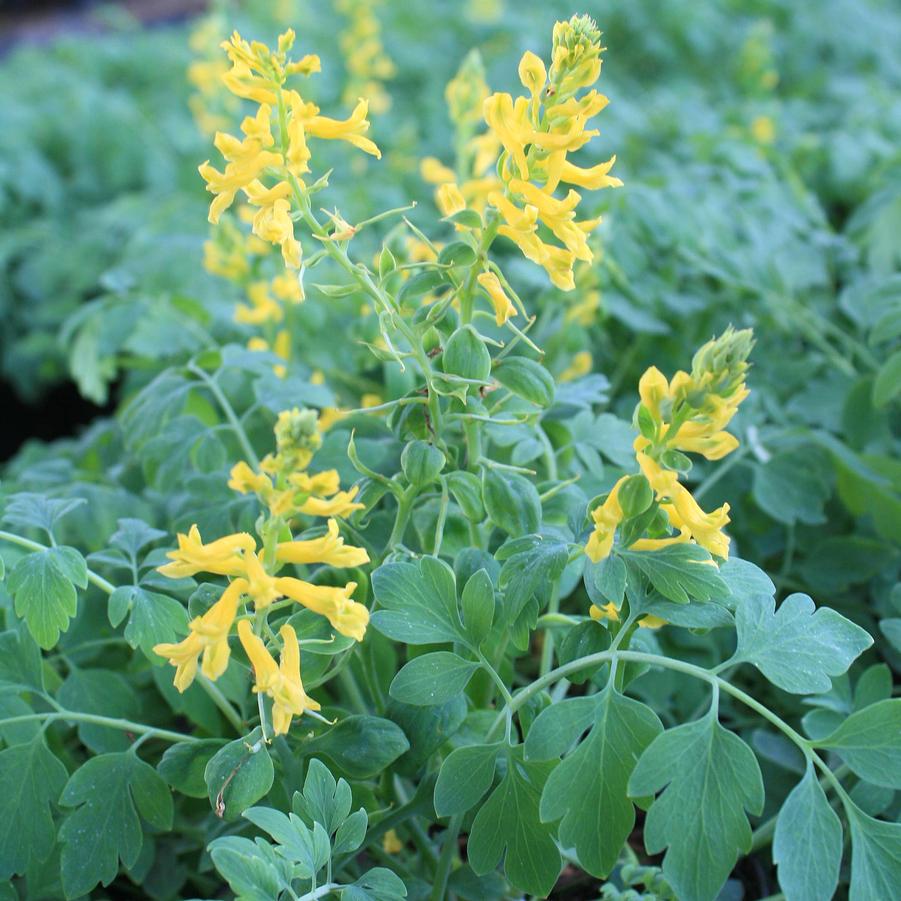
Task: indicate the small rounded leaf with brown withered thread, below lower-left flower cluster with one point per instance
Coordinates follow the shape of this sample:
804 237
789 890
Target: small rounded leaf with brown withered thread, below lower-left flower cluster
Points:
236 776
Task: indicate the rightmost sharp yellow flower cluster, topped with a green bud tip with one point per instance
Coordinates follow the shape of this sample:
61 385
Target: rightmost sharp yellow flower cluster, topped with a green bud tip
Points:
688 414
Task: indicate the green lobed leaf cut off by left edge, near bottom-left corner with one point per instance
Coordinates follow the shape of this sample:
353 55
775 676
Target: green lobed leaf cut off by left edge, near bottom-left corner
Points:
31 779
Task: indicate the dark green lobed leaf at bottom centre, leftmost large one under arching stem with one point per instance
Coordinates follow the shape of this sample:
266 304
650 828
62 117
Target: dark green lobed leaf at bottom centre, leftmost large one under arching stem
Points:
509 821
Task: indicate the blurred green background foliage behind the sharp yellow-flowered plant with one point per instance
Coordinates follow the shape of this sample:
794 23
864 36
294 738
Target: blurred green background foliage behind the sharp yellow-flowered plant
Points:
759 145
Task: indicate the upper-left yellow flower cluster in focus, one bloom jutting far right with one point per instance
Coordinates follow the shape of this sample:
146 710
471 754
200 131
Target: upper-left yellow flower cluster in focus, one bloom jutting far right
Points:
268 171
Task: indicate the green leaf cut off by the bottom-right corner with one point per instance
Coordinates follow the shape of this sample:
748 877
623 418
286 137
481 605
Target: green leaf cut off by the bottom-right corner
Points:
875 857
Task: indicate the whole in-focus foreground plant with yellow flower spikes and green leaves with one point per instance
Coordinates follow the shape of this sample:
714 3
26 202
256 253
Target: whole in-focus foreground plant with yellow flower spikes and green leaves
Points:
501 634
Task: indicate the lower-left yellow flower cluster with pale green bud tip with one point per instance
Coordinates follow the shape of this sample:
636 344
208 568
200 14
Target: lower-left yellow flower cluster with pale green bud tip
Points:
255 582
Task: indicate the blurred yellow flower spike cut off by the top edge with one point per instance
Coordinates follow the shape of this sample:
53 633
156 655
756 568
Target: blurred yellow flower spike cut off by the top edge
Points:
368 65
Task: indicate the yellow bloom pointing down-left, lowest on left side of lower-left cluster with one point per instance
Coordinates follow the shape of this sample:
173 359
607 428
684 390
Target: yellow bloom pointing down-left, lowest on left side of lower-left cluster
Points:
208 635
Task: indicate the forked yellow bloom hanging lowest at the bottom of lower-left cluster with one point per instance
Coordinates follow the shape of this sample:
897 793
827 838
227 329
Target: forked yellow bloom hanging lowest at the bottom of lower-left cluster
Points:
281 682
